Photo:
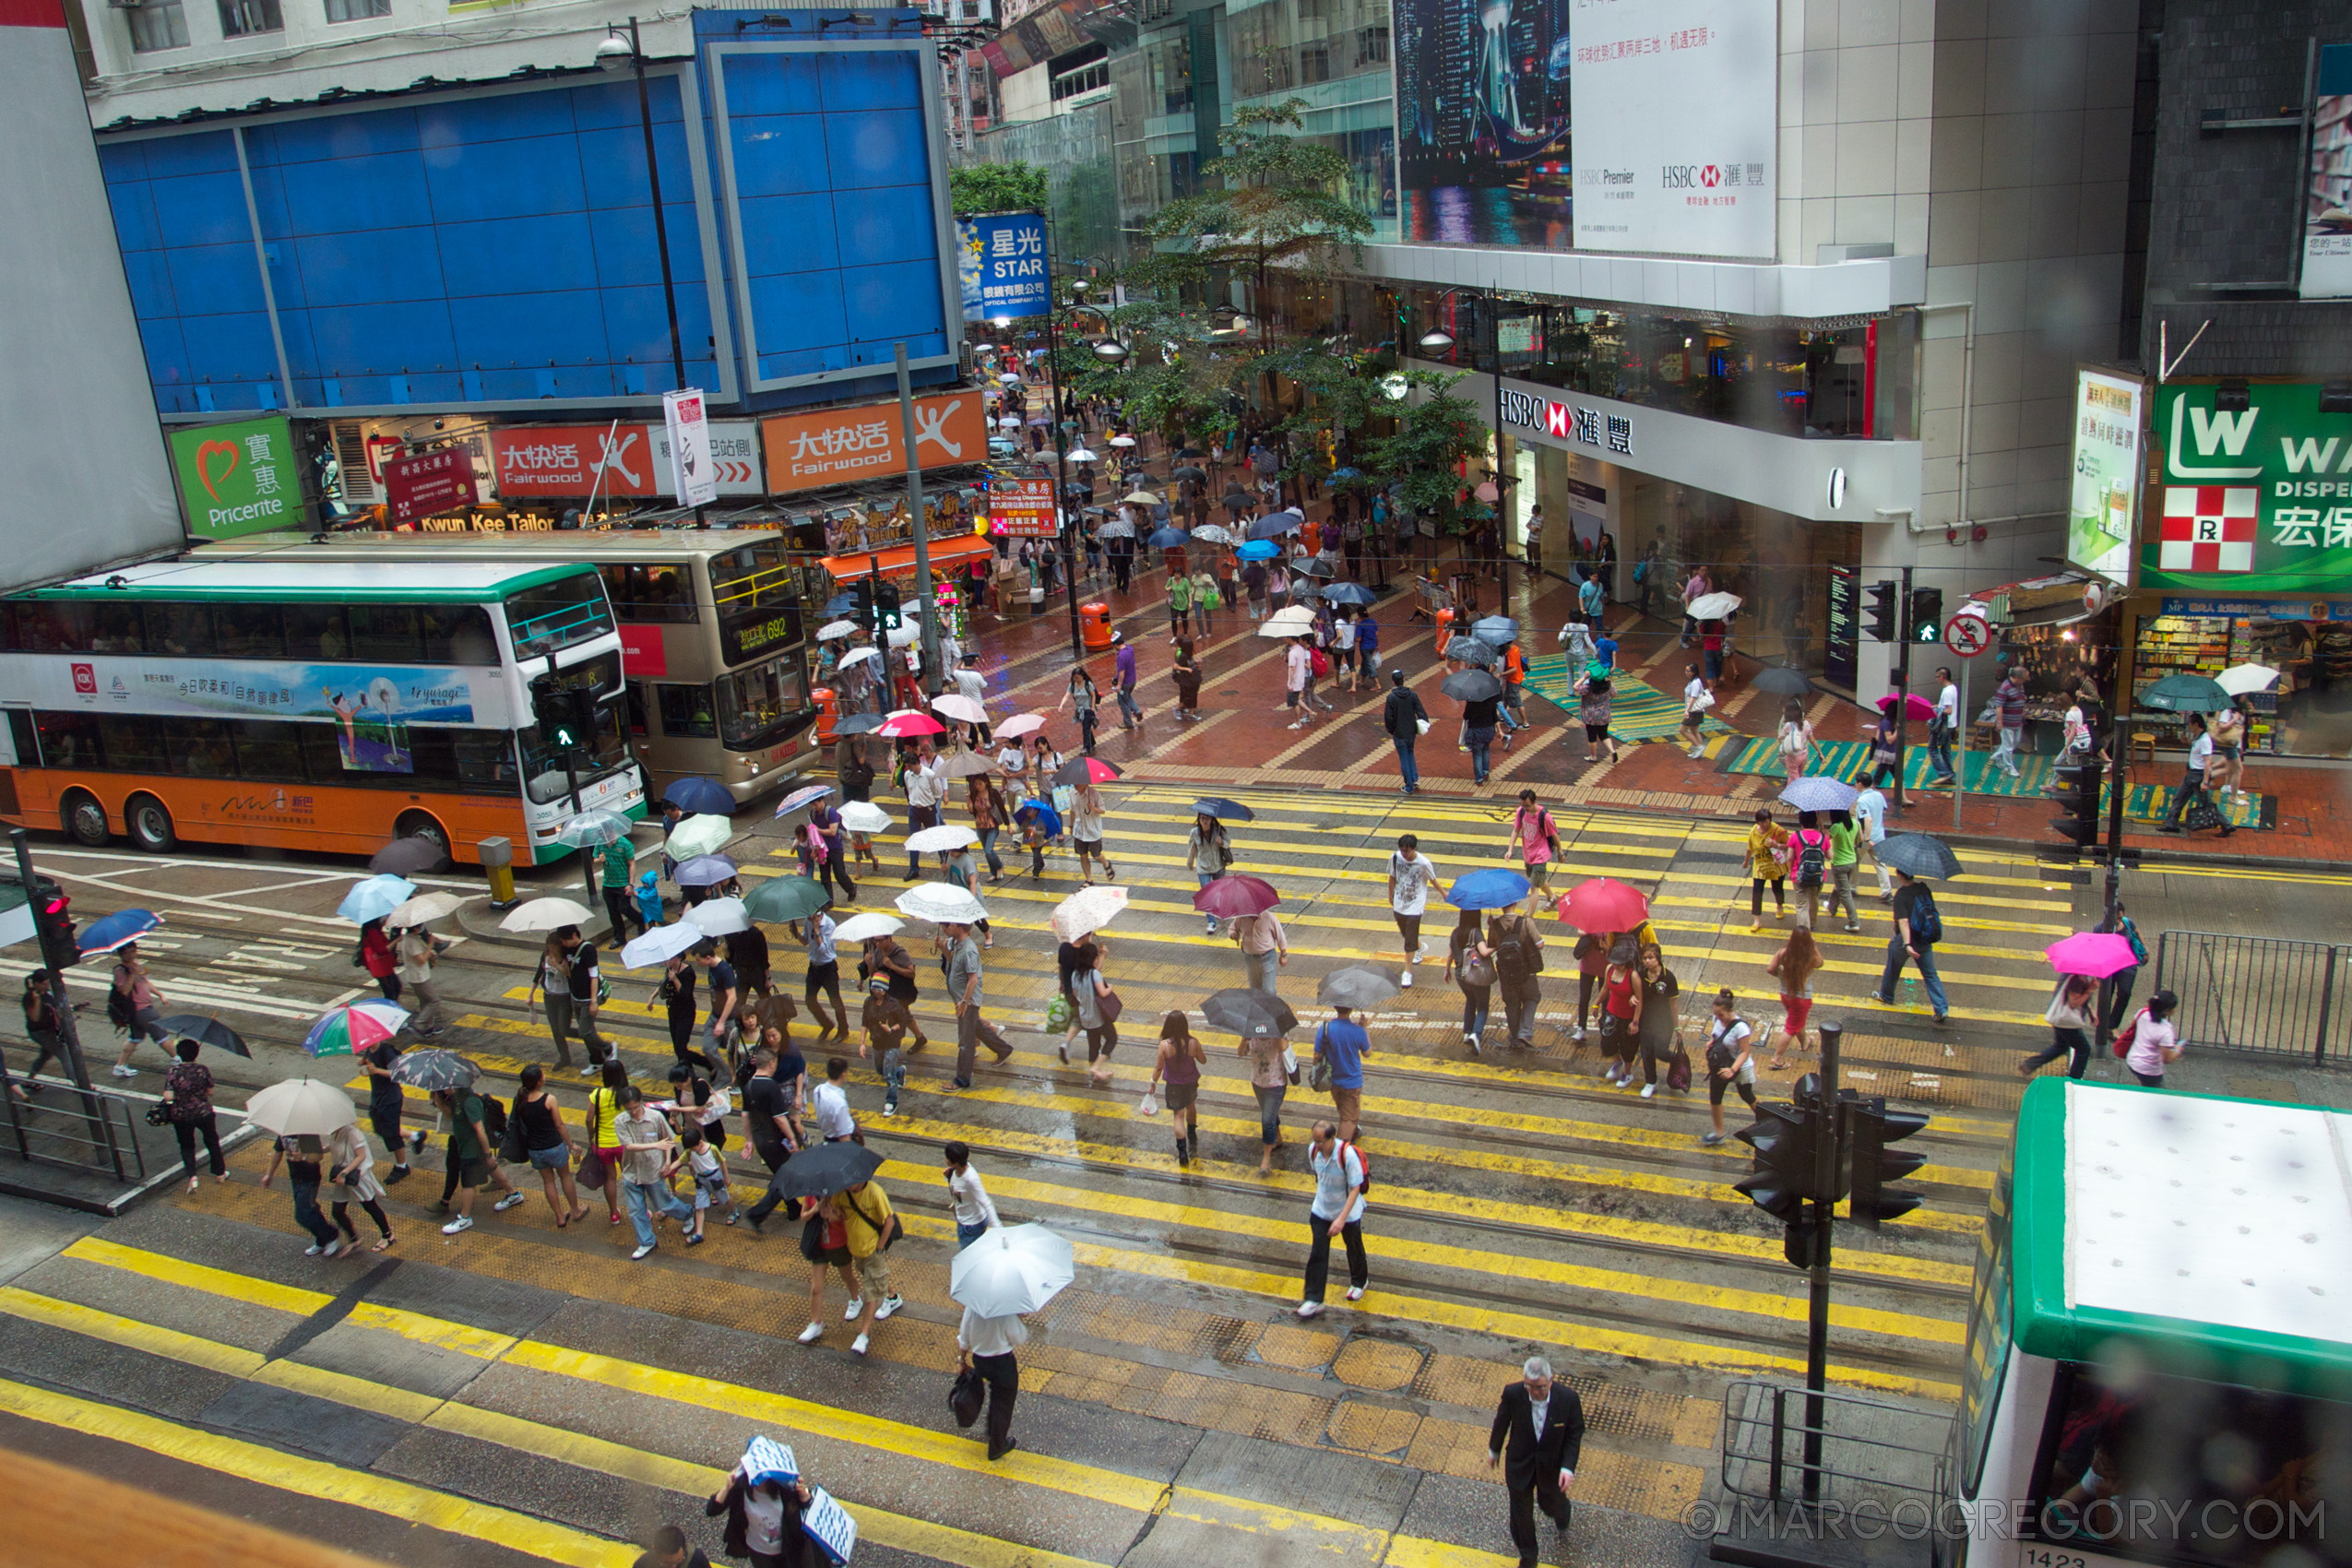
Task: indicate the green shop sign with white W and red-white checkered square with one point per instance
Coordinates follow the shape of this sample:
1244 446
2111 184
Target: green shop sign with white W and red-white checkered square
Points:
2257 500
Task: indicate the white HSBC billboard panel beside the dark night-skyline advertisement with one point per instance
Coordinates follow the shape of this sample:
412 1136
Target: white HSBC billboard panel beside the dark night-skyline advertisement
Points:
1678 126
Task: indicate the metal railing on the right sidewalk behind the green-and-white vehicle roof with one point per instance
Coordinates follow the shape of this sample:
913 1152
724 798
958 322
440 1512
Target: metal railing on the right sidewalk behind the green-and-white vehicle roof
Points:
2257 993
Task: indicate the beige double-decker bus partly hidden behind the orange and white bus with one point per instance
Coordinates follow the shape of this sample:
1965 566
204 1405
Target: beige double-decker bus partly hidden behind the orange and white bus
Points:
714 636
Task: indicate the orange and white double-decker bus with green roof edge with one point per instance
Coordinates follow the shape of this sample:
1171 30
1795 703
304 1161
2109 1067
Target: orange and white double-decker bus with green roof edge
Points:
309 704
